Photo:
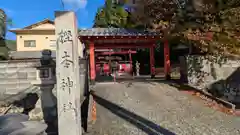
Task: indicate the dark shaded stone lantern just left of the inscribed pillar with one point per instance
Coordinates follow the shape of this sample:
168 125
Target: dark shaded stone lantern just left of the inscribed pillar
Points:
48 91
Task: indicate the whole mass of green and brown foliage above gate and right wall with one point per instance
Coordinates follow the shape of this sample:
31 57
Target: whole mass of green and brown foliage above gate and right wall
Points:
221 17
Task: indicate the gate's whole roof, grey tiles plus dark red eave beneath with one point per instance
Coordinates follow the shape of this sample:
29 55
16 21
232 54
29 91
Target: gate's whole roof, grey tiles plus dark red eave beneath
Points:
118 35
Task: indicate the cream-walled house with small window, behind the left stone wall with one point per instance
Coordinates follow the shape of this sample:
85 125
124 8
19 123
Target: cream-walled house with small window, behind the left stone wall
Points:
36 37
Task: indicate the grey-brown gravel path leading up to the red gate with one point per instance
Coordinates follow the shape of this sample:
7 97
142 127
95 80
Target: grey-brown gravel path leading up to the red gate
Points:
156 108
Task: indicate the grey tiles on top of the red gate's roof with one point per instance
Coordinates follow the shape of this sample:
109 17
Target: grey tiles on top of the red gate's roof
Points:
116 32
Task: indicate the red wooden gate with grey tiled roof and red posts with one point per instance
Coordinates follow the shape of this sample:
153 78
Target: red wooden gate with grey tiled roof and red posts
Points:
110 38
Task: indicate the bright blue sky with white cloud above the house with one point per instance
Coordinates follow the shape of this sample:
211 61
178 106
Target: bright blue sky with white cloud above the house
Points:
27 12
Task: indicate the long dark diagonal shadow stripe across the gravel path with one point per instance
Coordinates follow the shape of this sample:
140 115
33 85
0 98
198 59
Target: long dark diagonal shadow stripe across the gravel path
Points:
138 121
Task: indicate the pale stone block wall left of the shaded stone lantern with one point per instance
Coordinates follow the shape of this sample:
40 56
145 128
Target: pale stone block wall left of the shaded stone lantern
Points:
16 79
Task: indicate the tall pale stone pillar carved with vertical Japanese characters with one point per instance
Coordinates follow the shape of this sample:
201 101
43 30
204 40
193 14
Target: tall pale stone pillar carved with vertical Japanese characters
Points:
68 86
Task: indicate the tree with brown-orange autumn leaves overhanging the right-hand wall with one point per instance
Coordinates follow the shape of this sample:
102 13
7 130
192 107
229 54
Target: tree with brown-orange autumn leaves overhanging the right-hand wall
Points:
221 17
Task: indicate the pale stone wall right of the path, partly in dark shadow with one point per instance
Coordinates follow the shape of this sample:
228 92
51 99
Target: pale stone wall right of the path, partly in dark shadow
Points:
220 77
